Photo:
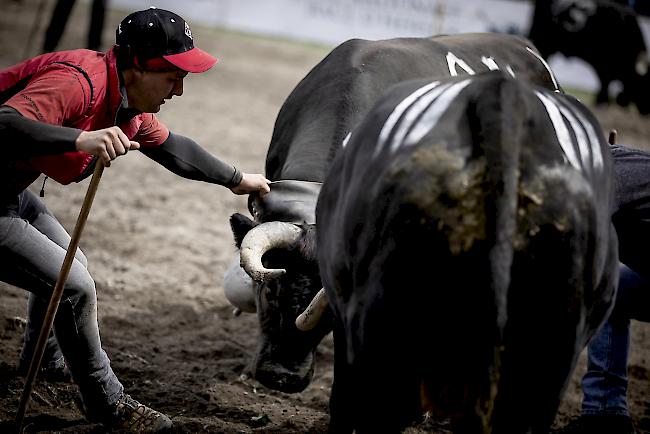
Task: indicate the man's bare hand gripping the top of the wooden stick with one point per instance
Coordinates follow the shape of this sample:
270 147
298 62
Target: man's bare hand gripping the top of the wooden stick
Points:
107 144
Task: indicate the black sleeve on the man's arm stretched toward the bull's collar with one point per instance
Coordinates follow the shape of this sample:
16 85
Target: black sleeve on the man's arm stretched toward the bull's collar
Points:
186 158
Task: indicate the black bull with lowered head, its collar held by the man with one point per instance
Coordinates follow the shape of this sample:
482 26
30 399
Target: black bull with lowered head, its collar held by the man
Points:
309 131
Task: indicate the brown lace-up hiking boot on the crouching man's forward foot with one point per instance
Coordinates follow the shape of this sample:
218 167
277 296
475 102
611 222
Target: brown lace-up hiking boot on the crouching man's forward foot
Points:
133 417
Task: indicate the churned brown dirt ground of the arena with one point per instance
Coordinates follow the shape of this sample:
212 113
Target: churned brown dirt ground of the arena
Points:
158 246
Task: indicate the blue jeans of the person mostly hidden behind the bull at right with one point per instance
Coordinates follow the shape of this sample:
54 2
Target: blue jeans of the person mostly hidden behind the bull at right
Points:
604 385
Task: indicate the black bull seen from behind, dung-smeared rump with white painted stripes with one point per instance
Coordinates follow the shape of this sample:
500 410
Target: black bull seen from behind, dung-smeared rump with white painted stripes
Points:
466 248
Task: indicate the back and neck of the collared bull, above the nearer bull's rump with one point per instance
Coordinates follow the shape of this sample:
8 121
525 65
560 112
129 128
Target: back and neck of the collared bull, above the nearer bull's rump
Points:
329 102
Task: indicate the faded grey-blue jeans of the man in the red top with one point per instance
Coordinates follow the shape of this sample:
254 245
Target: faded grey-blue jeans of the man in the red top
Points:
32 249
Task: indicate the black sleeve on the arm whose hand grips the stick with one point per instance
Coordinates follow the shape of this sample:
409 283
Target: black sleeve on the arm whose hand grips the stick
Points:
23 138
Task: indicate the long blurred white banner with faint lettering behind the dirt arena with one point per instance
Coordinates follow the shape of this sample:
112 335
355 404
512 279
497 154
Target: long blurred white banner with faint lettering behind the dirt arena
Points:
334 21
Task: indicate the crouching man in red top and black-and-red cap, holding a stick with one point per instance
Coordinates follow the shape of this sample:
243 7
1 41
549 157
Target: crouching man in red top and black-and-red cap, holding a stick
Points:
60 114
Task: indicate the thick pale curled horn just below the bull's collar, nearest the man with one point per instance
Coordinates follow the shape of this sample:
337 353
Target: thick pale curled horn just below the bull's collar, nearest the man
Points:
259 240
